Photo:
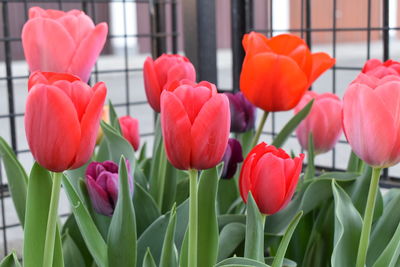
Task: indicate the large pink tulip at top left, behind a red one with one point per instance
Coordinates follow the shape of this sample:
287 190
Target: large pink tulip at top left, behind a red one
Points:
58 41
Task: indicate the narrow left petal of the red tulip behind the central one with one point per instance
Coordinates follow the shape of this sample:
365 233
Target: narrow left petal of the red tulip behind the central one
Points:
151 84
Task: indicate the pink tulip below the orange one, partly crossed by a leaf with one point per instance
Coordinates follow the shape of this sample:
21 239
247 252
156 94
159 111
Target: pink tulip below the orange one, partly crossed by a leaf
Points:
324 121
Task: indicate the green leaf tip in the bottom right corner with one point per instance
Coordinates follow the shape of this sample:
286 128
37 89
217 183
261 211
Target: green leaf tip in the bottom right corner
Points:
391 253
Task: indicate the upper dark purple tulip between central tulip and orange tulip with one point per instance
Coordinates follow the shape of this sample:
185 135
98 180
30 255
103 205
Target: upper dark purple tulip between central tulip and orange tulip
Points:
243 113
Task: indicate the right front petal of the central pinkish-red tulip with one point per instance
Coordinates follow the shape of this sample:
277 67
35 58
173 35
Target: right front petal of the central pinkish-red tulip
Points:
210 133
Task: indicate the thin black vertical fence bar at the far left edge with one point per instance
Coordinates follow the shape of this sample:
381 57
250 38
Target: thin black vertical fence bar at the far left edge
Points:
10 85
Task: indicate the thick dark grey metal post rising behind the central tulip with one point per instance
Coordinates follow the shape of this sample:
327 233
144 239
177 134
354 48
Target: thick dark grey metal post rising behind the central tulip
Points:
200 37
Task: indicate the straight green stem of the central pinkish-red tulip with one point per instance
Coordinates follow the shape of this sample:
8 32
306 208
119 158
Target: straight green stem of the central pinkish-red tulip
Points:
192 261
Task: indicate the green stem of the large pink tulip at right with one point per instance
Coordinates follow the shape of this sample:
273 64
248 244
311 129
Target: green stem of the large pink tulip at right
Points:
368 216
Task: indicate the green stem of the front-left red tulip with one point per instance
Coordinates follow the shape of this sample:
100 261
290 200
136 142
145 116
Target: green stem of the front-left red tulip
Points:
52 221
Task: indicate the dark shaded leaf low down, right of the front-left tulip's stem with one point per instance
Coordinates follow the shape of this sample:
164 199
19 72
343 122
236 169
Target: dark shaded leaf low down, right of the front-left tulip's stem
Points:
74 233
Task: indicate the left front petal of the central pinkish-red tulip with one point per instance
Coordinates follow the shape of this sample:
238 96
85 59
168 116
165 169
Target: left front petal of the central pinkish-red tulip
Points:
176 130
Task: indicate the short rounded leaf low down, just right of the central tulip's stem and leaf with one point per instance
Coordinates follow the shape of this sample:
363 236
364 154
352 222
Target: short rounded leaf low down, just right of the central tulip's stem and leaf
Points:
231 236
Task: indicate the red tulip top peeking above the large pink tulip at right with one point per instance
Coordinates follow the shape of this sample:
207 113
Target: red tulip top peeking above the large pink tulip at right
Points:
378 69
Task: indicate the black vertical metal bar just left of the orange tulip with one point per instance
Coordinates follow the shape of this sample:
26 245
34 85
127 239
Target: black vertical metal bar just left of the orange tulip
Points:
238 24
